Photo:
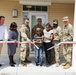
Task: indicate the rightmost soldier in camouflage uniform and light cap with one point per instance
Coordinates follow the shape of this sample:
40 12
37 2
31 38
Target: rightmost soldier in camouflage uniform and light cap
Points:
67 48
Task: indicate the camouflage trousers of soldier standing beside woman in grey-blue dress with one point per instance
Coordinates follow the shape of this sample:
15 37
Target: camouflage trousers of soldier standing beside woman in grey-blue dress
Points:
24 51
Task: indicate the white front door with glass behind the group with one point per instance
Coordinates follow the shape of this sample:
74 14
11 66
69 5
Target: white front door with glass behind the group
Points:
33 16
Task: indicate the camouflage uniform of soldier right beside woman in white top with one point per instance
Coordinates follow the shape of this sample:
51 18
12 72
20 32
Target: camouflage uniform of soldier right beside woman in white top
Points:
56 40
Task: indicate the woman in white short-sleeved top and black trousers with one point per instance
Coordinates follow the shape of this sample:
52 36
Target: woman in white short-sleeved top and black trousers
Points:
48 37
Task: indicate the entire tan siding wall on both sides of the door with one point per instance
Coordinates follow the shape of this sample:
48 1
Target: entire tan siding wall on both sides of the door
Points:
55 11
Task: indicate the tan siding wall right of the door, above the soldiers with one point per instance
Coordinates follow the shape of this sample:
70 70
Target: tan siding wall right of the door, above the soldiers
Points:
58 11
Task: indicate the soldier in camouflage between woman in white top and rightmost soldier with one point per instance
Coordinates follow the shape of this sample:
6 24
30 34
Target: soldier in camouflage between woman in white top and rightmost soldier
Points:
56 40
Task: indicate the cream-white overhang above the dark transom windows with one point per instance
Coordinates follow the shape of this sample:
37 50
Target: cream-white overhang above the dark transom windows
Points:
35 2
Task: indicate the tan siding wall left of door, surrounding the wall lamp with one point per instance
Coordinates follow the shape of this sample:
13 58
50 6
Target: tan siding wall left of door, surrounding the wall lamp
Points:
6 8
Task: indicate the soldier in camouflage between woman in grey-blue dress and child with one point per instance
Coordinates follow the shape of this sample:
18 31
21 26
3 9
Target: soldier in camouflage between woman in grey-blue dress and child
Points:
24 36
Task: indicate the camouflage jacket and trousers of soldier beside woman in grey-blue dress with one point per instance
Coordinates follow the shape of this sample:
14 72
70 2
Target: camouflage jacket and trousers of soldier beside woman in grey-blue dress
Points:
25 36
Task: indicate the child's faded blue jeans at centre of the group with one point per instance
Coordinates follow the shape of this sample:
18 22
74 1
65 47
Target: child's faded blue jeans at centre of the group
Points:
39 55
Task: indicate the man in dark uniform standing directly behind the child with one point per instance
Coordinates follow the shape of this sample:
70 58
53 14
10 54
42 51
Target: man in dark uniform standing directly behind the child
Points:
37 26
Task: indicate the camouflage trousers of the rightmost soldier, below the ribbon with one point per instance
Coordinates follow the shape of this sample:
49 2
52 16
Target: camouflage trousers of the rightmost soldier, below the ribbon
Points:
67 52
